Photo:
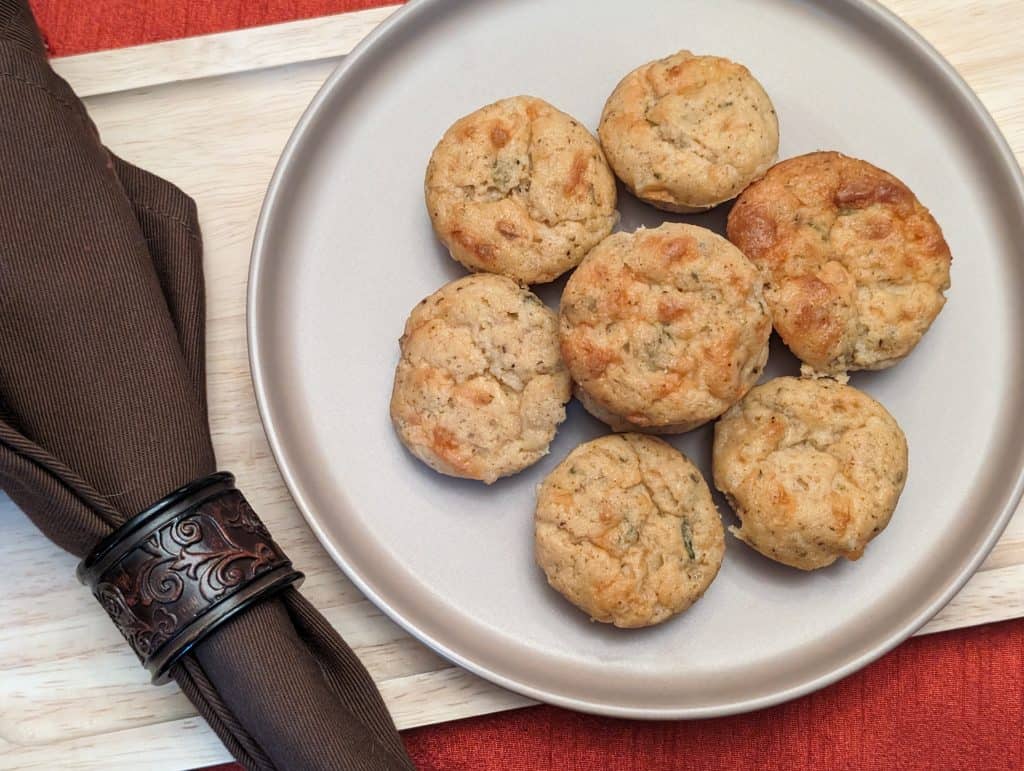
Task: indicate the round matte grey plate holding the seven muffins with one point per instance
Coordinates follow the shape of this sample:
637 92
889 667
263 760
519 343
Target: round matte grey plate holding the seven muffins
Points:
345 250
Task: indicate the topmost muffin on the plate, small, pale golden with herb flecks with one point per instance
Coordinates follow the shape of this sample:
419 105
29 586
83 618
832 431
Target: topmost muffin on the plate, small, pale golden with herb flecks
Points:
689 133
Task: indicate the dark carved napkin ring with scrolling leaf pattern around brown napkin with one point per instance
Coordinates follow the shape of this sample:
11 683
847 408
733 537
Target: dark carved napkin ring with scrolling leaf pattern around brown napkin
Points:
174 574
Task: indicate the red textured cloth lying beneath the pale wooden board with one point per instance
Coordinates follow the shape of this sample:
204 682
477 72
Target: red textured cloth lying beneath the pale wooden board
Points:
947 702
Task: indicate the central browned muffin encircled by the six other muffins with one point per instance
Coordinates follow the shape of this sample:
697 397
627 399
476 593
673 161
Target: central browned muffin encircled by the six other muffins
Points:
666 328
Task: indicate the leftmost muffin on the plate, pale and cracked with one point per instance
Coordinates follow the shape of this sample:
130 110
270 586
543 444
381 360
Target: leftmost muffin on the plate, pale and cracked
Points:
481 389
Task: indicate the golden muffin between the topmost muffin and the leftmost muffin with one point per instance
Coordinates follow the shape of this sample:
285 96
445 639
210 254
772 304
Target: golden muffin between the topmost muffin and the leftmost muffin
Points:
520 189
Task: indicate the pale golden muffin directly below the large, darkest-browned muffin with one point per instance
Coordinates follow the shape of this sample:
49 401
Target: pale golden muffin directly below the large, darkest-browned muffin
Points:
814 469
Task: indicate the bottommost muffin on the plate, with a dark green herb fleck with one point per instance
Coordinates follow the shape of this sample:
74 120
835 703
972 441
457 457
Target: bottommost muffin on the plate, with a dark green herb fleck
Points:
627 531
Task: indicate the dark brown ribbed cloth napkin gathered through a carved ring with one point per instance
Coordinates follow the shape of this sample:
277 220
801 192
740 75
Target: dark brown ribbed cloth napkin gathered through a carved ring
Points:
103 408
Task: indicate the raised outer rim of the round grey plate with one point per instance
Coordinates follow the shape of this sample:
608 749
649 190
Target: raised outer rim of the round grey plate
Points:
880 16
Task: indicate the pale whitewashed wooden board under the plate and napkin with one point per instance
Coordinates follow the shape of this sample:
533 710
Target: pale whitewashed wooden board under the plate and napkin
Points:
212 115
